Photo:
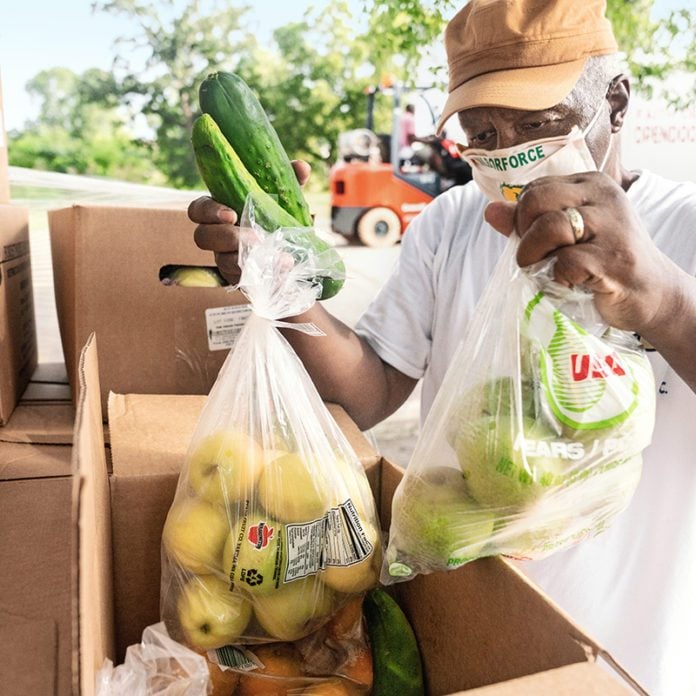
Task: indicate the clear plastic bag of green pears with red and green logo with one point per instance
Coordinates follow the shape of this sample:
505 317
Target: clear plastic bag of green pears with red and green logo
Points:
534 440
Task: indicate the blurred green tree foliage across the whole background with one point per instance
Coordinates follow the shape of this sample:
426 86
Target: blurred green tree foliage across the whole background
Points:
134 122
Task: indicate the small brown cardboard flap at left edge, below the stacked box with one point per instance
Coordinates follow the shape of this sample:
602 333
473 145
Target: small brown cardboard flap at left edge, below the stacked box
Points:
40 423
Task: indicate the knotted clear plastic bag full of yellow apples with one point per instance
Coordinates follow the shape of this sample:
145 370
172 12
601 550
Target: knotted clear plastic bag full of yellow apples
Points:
273 526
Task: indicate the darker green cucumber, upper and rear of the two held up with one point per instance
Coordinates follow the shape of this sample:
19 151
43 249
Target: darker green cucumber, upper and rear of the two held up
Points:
242 120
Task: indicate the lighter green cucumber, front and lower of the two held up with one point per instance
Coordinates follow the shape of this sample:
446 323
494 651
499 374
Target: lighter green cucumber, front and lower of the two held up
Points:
229 182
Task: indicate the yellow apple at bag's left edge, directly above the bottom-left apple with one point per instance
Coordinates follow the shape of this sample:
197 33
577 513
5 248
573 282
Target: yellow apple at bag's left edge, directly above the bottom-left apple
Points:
194 535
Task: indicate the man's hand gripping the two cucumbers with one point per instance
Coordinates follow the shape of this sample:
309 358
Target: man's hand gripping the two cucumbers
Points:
217 229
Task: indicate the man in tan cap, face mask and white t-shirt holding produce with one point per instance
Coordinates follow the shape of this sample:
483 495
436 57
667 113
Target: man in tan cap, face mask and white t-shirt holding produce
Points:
540 73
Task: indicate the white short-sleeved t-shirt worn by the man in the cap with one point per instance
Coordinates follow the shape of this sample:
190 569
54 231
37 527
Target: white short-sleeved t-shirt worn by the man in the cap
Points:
633 587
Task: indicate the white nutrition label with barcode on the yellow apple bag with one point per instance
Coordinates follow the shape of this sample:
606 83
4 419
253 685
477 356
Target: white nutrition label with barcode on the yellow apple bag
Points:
337 539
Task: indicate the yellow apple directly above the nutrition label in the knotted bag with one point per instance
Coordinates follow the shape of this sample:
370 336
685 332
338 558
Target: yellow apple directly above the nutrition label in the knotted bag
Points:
293 490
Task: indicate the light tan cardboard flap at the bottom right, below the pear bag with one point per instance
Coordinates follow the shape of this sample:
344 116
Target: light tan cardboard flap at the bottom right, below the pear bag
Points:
582 679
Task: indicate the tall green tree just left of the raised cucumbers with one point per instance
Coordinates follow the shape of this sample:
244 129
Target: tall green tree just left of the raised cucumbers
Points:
159 68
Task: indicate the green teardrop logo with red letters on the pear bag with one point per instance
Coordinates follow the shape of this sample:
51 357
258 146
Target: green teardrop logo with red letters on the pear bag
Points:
587 384
